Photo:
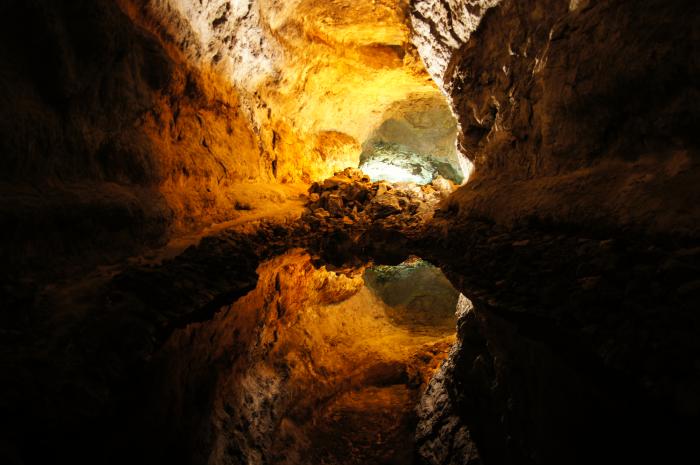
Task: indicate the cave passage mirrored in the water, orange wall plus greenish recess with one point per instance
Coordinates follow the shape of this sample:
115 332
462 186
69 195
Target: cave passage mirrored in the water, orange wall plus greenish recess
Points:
324 366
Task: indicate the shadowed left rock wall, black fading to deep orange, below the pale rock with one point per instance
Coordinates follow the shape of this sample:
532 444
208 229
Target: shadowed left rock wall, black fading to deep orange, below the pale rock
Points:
110 140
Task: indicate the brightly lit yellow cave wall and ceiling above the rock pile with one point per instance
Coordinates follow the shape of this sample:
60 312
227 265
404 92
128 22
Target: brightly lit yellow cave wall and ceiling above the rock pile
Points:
345 64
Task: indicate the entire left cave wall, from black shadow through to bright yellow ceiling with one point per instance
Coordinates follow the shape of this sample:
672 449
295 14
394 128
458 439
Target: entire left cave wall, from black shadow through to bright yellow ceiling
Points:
126 123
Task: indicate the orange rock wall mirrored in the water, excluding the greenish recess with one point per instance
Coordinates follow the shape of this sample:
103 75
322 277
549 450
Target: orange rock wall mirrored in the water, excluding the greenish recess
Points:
292 363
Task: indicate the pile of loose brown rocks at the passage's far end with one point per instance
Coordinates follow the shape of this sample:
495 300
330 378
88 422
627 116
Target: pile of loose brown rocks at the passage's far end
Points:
349 200
